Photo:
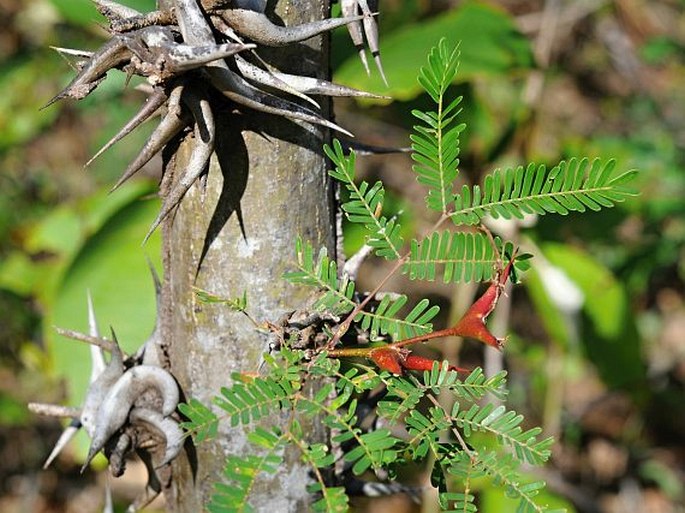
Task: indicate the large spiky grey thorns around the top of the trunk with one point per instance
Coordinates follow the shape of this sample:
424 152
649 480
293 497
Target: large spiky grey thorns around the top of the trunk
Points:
178 53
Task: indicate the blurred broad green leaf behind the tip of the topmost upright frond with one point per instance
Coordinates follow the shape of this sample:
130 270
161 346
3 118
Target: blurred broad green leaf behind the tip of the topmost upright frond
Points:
490 44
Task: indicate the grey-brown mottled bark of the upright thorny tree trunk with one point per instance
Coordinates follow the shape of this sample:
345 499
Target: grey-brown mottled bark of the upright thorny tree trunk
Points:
280 167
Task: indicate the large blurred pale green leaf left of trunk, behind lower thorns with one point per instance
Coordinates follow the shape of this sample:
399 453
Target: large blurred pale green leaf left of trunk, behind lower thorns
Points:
112 265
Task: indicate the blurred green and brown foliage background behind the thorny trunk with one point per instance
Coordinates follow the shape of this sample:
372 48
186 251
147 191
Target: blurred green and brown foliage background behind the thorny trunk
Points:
59 236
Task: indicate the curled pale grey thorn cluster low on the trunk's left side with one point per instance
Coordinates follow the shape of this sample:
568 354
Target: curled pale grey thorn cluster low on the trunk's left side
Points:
130 405
